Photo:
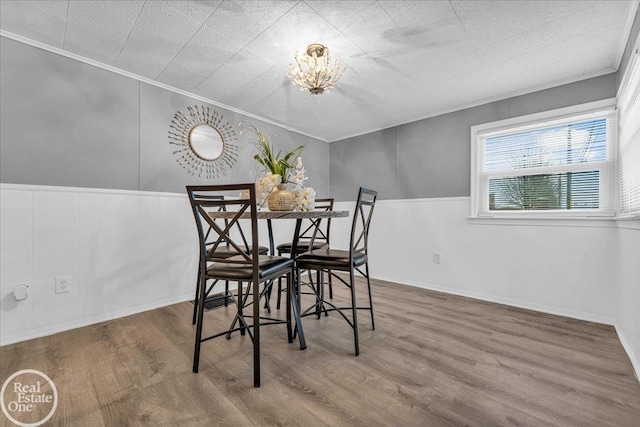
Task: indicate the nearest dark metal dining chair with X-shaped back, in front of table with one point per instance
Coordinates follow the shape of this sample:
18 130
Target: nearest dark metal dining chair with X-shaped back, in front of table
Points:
246 267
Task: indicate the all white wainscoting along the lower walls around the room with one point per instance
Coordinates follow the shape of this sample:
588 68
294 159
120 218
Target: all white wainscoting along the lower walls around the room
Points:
128 252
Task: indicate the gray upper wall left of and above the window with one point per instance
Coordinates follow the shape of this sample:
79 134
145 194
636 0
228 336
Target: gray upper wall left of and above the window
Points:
432 157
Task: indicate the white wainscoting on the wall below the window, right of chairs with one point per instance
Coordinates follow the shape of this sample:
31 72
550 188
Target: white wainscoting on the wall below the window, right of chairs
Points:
565 270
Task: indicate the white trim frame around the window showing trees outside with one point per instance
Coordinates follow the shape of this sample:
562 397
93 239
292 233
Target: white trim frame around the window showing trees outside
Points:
537 119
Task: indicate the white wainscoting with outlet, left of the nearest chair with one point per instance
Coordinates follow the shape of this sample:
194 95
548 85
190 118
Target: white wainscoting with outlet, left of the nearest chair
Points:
125 252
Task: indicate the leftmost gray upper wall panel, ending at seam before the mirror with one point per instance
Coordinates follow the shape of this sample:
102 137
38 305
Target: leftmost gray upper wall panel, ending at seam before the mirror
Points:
64 122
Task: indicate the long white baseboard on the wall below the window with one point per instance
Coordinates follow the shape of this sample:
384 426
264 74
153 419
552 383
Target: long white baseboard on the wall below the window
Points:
579 315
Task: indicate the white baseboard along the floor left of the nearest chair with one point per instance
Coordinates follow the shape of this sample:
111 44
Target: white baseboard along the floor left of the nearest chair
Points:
62 327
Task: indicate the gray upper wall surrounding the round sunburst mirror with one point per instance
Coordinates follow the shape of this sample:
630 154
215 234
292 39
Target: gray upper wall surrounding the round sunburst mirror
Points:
67 123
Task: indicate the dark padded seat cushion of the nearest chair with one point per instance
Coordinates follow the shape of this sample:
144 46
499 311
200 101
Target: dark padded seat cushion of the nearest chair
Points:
235 269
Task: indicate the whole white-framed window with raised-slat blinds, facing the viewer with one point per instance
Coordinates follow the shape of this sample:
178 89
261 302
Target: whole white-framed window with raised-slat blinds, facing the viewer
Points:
554 164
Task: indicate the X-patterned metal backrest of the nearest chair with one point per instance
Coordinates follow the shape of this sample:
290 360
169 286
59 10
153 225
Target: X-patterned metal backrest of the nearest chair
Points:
207 198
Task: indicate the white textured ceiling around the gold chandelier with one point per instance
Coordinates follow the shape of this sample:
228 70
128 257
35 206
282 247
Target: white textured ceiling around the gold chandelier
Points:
406 60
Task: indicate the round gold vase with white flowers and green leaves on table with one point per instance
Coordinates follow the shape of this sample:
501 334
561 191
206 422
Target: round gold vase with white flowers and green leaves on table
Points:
279 170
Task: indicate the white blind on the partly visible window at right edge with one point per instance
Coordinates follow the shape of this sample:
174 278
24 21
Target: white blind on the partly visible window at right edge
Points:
629 139
